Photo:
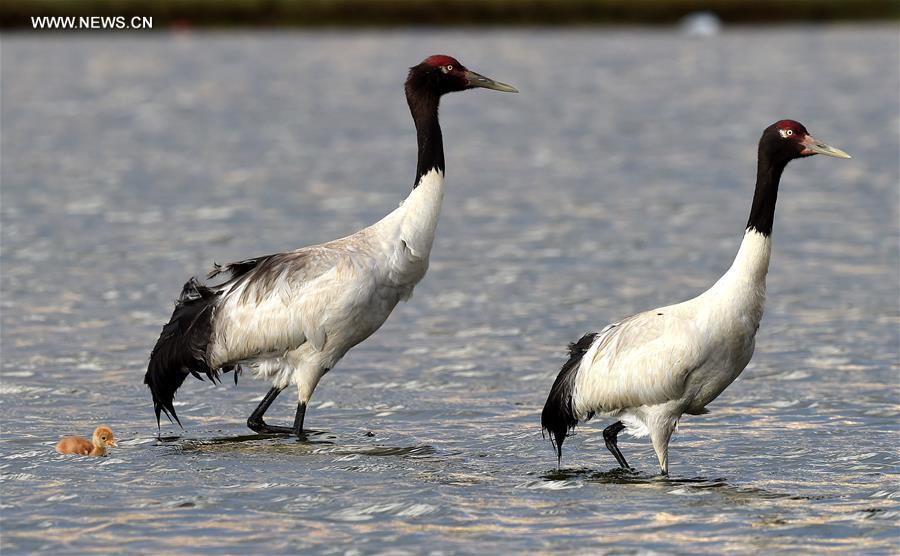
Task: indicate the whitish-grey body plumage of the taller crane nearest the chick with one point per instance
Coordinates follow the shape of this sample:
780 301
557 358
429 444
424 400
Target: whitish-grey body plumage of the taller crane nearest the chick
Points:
294 325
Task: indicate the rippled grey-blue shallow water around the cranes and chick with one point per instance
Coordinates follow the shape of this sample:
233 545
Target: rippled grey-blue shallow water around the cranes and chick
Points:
617 181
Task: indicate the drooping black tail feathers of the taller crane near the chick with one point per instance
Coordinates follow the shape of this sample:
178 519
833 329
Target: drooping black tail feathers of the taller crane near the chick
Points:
181 348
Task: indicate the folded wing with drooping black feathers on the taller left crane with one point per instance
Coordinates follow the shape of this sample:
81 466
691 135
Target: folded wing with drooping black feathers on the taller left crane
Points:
215 327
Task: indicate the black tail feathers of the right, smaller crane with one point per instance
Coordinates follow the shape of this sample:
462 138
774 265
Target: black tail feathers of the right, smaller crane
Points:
558 417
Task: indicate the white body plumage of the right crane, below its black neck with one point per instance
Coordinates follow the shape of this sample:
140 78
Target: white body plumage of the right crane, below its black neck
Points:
649 369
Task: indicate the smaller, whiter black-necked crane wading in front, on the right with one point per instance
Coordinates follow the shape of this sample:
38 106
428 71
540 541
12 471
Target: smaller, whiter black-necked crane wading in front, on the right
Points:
648 370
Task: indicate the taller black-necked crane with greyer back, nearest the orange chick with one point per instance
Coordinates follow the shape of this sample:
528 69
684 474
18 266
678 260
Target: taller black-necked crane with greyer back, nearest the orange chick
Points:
290 317
